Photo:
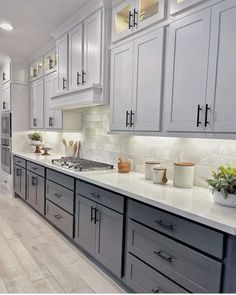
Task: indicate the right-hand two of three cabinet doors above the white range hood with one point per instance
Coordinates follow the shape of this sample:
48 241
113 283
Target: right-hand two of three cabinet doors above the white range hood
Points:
85 53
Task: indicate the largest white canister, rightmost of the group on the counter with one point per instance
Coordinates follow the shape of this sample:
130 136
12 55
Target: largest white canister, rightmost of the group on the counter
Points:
184 174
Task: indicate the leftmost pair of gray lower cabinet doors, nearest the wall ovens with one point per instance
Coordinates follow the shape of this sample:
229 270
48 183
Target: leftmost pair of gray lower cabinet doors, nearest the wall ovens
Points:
20 181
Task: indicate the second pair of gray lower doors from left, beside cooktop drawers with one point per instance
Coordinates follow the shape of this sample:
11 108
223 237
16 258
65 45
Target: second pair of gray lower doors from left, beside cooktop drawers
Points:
35 191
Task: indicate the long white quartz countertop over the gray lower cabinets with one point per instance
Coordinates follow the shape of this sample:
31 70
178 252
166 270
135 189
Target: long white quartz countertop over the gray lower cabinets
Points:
195 204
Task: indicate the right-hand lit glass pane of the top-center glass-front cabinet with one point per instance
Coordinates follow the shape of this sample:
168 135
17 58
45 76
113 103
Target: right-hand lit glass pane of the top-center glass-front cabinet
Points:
148 8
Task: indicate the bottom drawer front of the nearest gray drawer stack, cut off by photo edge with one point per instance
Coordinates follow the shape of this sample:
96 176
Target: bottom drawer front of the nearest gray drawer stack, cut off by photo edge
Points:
143 279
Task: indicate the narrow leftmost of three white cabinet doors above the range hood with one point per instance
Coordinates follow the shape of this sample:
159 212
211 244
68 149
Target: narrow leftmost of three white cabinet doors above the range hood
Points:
62 64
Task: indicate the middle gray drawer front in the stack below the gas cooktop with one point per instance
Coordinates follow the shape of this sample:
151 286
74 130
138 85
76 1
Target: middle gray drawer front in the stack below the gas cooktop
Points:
61 196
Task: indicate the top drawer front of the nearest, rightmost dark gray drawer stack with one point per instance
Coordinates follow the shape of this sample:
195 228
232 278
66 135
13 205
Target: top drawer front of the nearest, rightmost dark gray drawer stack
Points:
198 236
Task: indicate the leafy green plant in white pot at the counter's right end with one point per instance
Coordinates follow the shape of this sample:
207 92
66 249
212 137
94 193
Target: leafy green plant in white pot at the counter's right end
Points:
223 186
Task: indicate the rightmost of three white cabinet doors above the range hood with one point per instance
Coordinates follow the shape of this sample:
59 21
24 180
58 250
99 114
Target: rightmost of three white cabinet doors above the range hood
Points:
92 50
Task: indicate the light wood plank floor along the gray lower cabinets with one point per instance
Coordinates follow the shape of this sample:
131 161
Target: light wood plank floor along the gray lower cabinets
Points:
35 258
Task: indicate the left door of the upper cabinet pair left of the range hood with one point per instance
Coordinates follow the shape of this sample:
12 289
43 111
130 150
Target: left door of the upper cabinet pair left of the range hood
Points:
36 104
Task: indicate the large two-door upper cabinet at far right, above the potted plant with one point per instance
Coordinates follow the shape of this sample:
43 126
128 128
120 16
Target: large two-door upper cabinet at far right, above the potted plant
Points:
201 71
